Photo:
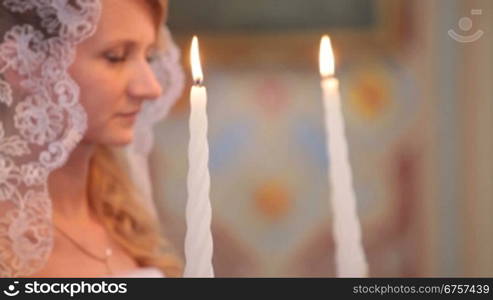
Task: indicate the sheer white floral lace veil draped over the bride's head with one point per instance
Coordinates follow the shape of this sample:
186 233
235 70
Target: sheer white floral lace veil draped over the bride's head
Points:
41 119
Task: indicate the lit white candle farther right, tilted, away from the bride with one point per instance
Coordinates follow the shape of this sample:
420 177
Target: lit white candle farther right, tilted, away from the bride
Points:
349 254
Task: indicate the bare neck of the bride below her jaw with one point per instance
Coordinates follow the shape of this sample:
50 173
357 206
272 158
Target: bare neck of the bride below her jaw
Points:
68 185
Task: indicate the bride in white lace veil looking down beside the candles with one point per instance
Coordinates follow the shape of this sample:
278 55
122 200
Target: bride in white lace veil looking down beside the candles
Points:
79 78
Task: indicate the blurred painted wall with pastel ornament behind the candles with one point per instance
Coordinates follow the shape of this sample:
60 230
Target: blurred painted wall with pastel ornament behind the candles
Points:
269 190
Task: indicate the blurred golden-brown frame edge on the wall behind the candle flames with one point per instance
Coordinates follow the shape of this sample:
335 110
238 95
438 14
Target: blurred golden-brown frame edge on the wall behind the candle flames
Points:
223 49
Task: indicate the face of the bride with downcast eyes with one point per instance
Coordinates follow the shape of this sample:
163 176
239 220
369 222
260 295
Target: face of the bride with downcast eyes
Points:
113 71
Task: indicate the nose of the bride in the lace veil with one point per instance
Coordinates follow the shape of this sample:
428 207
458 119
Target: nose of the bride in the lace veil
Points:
144 84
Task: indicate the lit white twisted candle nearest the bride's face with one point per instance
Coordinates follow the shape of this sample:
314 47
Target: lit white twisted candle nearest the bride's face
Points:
198 239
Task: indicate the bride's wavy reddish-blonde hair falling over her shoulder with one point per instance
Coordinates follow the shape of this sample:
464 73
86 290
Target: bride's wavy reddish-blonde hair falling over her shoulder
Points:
115 202
